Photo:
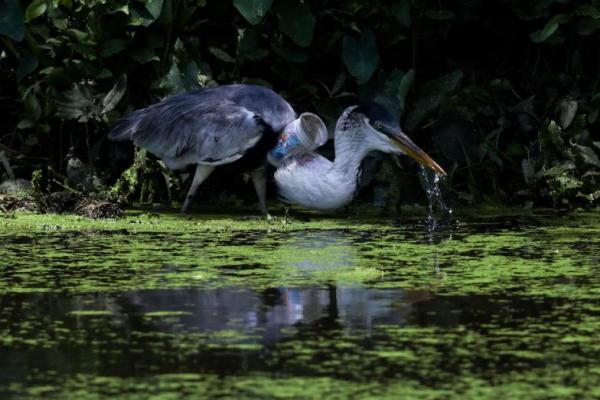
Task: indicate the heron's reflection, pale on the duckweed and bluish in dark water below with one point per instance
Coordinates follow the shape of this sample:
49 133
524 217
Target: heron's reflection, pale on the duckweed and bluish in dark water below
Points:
266 313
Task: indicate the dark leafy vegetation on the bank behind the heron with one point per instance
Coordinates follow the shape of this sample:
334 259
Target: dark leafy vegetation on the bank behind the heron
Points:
504 95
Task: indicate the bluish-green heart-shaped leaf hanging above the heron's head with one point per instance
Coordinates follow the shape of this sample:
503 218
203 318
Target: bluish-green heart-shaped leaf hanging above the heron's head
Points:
360 55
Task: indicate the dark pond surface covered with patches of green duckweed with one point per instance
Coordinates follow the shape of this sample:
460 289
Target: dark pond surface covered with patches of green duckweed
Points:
488 307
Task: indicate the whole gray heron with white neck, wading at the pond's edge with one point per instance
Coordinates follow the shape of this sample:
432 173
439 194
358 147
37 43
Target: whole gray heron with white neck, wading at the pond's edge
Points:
241 123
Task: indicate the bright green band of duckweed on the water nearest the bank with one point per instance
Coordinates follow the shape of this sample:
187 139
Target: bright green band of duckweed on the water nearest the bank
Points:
148 252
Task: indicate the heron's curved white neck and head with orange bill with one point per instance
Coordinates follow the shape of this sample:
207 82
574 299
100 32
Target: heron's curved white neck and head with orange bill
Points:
313 181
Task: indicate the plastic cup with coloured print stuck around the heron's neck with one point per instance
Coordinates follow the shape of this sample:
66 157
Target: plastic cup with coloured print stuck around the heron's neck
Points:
299 137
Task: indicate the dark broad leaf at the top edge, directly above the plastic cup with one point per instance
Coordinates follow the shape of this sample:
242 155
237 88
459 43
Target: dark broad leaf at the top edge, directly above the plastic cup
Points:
297 22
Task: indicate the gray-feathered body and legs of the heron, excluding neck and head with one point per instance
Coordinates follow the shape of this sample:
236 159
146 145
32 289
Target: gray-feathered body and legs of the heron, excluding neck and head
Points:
209 128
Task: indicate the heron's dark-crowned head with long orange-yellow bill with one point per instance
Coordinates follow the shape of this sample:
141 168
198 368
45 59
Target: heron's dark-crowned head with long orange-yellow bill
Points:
381 131
